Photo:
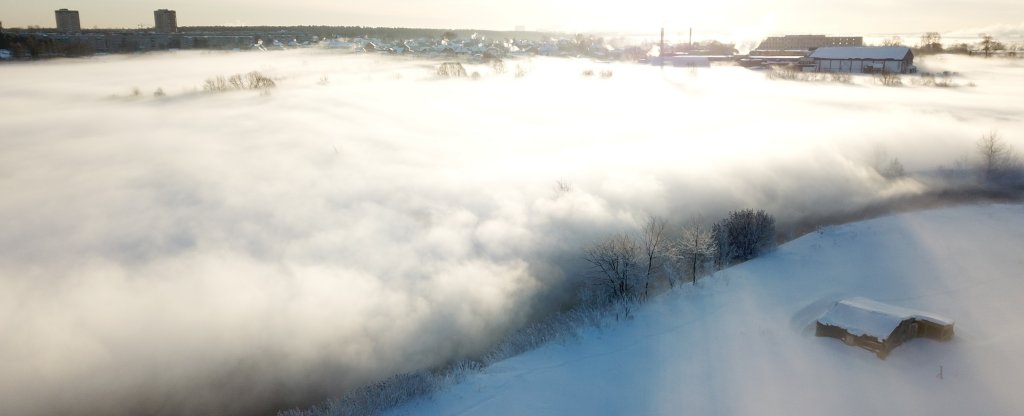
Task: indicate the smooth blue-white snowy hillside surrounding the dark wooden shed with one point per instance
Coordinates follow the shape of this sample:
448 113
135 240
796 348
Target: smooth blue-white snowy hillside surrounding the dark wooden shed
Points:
743 343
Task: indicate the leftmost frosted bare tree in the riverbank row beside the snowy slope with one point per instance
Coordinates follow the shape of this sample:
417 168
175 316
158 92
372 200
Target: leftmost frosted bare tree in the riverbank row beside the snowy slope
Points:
616 266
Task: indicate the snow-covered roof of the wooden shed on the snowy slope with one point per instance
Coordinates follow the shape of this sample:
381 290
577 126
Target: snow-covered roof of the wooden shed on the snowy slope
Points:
866 317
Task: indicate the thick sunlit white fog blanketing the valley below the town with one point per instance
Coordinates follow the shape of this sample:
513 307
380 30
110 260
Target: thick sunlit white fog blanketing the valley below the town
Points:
238 253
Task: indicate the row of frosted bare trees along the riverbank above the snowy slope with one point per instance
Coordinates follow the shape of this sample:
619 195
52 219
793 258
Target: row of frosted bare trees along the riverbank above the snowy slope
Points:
628 266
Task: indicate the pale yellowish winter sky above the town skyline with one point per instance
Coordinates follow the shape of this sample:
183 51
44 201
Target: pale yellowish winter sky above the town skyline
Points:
734 18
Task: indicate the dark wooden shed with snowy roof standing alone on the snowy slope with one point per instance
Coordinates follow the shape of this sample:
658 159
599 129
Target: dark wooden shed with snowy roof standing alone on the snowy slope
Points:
879 327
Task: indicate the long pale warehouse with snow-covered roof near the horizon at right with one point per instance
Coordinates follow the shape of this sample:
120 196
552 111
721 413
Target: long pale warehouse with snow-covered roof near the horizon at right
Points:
865 60
